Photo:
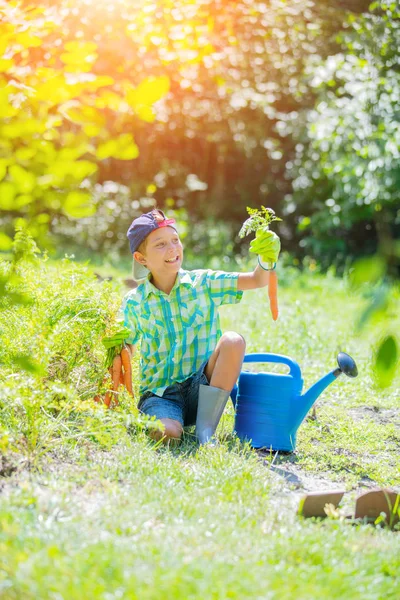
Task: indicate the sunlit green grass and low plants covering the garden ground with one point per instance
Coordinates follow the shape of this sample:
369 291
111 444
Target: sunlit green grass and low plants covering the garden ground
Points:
90 508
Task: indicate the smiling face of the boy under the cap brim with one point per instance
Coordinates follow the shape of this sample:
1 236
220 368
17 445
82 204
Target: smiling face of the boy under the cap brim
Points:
163 253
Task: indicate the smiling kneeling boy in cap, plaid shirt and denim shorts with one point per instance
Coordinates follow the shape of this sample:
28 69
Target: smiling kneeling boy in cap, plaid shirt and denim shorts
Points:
188 368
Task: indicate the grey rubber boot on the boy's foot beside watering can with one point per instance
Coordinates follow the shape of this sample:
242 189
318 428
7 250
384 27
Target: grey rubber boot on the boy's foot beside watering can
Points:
212 402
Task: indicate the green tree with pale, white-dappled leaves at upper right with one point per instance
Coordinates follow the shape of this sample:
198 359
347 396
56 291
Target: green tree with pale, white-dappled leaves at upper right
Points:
346 170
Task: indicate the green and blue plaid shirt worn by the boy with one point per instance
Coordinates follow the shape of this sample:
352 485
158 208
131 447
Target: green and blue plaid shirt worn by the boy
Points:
178 331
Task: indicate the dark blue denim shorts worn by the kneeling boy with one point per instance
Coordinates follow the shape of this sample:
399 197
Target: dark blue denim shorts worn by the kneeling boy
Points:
179 401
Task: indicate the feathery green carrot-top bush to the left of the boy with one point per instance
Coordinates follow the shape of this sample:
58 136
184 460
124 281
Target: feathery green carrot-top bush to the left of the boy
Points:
52 358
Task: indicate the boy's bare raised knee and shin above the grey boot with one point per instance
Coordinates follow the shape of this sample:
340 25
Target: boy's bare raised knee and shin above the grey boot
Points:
224 365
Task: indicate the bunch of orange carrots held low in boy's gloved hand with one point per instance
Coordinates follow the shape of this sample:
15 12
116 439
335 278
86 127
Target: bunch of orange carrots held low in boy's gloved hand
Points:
119 366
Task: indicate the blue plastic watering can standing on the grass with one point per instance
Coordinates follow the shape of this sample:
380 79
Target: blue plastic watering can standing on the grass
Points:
269 407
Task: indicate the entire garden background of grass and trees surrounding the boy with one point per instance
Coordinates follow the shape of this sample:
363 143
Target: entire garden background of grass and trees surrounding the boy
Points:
201 108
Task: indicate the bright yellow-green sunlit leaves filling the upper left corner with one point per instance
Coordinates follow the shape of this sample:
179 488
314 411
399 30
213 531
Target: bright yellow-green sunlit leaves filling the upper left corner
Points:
60 116
